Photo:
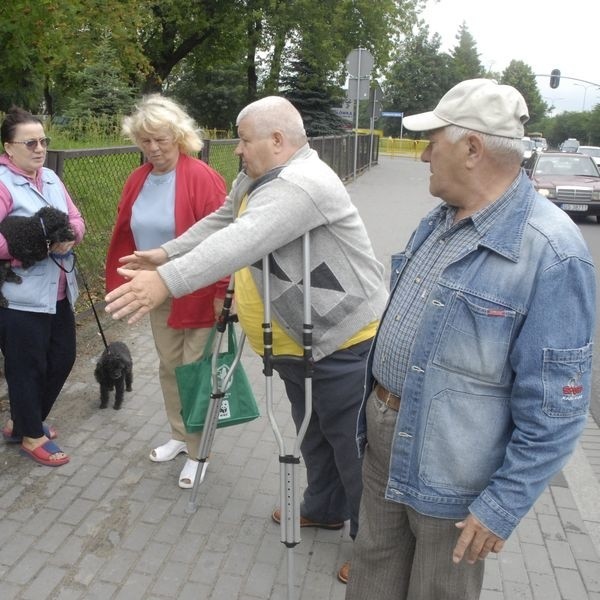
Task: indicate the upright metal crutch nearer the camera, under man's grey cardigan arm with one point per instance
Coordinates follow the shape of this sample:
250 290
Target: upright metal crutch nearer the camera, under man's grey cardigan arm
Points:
288 470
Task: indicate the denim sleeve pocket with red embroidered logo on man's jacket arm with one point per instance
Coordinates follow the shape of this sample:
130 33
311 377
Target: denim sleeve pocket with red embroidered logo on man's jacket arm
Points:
567 378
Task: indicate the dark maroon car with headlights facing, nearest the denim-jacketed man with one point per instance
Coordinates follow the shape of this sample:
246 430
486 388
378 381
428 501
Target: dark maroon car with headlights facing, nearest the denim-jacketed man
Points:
569 179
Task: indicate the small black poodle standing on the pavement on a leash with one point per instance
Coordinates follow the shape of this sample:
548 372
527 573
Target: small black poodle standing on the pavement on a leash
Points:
114 370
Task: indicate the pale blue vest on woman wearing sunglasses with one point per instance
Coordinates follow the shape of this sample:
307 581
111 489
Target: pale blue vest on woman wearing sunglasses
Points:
39 287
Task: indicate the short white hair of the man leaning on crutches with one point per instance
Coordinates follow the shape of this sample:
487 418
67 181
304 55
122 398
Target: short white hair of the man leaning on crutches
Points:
274 113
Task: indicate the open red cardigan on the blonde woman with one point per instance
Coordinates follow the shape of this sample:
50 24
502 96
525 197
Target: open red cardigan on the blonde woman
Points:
199 190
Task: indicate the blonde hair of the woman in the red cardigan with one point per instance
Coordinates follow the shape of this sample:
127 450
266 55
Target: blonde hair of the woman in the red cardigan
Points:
156 113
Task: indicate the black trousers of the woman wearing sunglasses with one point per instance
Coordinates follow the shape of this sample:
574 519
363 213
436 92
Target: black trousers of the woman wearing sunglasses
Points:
39 353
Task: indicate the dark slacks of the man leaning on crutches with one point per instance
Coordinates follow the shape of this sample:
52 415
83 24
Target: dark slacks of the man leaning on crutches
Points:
329 451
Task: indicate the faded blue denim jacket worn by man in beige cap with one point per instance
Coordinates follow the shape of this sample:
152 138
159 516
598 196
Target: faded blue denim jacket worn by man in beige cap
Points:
498 386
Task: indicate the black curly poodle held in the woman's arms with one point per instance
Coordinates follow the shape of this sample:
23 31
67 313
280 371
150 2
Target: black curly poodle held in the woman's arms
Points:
29 239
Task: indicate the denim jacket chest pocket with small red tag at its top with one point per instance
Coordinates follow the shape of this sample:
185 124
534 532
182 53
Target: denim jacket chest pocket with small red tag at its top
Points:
475 339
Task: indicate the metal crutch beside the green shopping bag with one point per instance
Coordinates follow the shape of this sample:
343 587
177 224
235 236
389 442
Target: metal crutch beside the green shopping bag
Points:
218 389
